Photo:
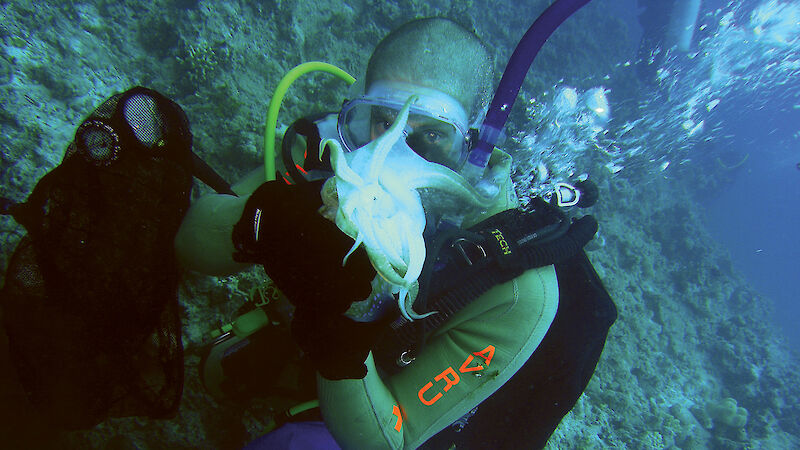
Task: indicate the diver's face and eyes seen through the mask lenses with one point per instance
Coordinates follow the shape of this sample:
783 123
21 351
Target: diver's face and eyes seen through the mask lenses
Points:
432 139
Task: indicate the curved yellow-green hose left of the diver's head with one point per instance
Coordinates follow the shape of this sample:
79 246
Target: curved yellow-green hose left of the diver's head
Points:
277 100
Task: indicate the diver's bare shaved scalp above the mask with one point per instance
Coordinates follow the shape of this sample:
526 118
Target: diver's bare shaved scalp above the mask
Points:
436 53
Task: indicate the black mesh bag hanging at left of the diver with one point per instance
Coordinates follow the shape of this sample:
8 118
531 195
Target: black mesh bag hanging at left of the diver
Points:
90 300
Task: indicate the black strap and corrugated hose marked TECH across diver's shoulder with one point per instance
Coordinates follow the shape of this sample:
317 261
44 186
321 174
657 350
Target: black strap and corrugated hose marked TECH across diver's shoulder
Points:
467 263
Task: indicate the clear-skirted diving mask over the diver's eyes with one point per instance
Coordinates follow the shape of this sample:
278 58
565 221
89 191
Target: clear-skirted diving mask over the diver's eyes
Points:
436 128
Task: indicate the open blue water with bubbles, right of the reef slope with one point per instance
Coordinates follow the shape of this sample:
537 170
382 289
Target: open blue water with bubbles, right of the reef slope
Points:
737 94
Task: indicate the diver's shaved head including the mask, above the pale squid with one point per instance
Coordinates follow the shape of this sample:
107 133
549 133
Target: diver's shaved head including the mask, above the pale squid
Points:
446 67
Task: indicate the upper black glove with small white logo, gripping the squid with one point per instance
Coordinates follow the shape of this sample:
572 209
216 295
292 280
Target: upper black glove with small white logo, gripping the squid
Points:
301 251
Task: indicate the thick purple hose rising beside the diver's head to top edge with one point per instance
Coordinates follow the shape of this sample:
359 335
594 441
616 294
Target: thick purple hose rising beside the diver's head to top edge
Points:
514 75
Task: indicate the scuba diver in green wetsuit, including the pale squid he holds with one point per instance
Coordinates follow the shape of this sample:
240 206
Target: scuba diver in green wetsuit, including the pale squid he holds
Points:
424 297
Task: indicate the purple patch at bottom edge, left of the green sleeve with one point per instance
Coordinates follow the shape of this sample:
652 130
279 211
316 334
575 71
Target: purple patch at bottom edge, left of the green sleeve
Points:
296 436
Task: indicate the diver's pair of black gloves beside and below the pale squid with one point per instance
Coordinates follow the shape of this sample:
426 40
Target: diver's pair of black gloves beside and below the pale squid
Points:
302 253
